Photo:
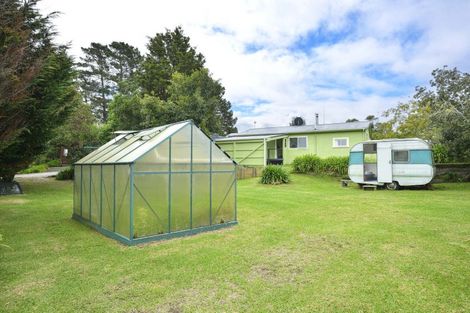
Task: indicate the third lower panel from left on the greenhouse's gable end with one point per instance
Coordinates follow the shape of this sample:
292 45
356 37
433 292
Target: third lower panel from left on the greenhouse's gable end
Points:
201 200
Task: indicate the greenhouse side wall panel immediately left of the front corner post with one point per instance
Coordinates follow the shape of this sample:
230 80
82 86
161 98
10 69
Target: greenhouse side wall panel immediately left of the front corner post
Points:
122 223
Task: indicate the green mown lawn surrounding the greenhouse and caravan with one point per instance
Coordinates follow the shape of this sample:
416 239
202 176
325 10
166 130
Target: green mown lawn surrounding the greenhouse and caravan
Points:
303 247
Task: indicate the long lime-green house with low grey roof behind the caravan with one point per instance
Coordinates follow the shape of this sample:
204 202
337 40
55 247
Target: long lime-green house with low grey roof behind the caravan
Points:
281 145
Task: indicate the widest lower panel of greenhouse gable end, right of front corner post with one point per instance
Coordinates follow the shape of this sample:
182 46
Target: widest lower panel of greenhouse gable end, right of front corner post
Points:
150 205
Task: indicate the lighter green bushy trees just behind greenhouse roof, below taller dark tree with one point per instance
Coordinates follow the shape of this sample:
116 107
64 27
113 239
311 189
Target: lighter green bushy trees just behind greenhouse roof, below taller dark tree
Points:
197 96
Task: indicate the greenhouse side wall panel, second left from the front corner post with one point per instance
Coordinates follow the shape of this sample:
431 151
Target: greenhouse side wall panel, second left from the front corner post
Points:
107 197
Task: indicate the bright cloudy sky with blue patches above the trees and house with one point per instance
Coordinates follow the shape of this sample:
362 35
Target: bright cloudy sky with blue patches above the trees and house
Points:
279 59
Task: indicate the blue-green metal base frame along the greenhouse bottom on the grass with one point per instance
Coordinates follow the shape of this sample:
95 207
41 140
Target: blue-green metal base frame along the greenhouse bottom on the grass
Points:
153 238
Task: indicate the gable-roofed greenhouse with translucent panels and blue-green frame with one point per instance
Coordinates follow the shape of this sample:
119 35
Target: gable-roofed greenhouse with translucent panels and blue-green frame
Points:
156 184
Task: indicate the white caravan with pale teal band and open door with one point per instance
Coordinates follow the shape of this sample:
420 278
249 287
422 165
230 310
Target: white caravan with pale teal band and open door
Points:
391 162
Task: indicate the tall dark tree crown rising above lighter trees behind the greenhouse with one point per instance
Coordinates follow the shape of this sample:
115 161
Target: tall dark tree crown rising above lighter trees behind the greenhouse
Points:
169 52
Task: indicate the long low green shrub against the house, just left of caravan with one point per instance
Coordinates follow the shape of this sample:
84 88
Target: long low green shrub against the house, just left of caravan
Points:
312 164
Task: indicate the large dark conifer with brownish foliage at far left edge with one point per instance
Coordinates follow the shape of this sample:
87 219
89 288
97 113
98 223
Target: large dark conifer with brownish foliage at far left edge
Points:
43 91
